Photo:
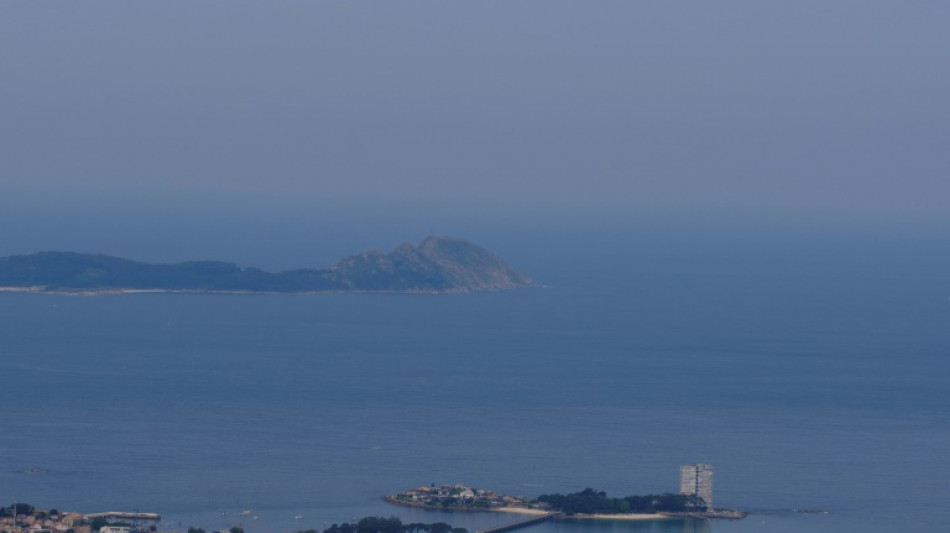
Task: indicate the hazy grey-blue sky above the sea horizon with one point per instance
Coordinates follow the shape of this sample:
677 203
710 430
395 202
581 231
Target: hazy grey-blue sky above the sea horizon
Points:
436 116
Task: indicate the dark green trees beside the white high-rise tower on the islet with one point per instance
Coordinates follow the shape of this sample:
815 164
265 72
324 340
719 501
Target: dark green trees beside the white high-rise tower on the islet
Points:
590 501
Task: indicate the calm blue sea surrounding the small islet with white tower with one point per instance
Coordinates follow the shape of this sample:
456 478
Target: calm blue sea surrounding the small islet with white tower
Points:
812 372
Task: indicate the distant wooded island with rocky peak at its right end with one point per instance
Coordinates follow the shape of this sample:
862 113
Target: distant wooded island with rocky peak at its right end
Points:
438 264
